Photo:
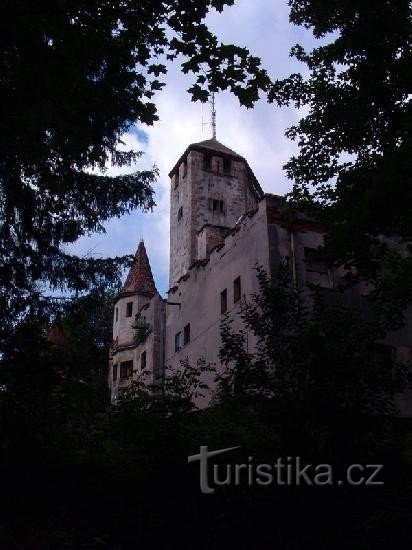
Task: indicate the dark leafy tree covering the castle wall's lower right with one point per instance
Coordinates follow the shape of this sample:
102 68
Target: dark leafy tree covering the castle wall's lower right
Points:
315 362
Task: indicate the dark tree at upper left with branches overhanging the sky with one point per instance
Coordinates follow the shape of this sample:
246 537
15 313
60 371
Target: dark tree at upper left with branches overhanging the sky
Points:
75 76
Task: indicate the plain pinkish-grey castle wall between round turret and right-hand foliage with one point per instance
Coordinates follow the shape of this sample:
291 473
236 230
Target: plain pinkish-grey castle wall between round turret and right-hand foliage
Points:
199 295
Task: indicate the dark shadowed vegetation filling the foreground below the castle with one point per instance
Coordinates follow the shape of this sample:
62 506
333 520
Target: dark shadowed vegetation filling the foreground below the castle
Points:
107 476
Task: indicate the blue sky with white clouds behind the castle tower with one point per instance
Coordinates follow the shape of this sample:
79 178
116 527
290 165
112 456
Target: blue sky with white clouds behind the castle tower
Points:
257 134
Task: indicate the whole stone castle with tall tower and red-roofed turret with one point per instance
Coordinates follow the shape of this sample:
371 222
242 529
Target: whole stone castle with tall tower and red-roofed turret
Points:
221 226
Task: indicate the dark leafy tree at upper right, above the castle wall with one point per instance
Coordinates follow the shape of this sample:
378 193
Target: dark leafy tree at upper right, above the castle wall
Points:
353 169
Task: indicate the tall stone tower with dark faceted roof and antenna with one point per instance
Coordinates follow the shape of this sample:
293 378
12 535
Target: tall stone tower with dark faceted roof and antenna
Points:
211 188
